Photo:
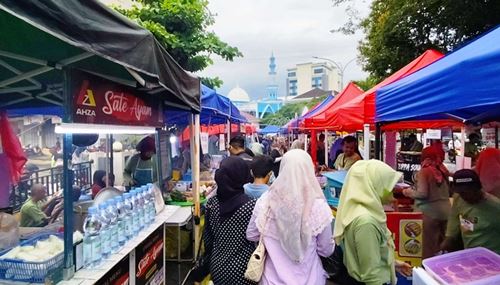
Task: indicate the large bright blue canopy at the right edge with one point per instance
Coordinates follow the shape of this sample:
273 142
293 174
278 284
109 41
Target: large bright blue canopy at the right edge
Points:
464 84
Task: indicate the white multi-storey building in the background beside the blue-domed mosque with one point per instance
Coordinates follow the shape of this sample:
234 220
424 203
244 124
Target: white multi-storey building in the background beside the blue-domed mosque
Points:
306 76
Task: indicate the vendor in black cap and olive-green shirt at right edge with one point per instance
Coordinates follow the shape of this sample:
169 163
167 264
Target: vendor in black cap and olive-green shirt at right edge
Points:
474 215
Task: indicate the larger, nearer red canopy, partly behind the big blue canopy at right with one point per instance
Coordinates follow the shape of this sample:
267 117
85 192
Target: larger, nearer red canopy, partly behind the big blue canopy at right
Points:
352 115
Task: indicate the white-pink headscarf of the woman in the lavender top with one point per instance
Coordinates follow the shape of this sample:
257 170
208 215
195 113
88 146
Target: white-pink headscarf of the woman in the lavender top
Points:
290 201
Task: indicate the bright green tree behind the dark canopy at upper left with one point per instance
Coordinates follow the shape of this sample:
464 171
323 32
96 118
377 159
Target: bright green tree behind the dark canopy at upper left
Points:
182 27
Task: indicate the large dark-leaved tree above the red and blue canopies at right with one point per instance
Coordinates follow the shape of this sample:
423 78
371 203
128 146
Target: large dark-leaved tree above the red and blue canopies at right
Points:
397 31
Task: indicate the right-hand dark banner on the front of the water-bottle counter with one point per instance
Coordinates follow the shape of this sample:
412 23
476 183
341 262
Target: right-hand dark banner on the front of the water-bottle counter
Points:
149 259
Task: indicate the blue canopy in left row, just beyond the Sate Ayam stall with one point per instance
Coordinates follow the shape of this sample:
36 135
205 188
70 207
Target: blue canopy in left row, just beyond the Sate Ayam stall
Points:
215 109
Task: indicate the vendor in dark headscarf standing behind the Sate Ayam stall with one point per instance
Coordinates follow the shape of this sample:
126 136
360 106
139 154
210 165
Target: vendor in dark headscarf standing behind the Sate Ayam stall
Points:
141 168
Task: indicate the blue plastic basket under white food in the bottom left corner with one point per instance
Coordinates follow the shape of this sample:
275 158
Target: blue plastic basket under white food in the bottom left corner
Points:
33 272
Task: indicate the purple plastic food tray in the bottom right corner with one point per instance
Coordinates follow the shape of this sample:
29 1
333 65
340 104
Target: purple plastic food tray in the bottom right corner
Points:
475 266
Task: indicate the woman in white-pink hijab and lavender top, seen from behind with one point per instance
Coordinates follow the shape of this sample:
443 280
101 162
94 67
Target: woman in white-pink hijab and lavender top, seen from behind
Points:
295 220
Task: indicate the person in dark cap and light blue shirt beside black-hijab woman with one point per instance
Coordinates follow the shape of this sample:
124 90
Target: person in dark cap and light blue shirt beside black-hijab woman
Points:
262 170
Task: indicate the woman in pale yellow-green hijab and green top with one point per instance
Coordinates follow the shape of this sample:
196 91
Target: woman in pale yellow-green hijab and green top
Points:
360 225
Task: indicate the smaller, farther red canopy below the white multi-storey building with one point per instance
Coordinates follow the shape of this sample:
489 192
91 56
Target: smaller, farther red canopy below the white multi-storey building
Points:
318 121
